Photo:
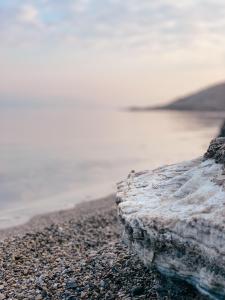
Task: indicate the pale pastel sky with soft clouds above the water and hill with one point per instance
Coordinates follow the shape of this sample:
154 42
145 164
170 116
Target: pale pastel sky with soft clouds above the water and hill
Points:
108 52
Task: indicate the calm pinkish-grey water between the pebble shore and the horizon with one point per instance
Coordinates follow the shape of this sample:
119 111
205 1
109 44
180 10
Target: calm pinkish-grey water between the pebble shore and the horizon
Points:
54 159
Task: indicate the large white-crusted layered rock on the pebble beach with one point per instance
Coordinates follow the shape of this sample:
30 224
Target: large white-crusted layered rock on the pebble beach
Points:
174 219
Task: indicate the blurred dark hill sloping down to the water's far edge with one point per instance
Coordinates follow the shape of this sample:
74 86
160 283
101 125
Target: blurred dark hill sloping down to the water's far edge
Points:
208 99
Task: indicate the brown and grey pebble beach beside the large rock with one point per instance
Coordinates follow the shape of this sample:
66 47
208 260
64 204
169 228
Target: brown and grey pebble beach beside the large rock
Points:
77 254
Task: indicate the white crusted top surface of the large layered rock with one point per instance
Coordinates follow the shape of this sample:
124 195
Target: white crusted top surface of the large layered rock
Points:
177 192
